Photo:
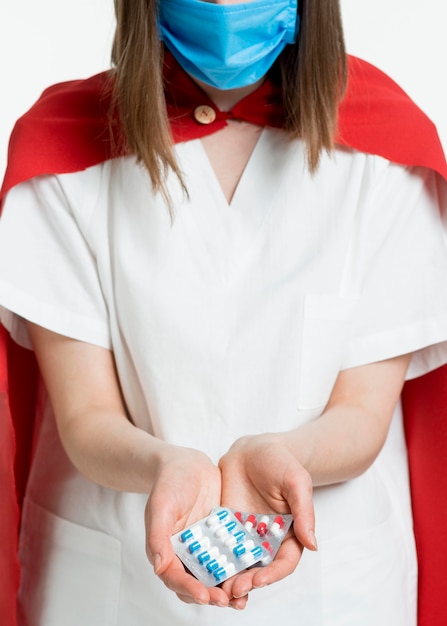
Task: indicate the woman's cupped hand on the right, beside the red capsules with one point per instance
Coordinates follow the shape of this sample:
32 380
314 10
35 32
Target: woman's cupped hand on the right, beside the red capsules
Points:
260 475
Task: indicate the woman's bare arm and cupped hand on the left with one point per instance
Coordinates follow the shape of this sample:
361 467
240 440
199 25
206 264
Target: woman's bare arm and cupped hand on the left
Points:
108 449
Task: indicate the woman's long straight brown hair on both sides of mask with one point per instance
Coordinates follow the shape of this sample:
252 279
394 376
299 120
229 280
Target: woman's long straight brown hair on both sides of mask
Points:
313 75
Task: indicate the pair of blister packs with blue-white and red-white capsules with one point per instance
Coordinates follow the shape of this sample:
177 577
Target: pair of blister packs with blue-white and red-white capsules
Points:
227 542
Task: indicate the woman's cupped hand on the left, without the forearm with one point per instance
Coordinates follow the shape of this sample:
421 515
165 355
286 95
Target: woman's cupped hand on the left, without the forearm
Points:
187 486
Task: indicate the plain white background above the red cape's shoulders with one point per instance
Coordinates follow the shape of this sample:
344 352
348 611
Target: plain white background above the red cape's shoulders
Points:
46 41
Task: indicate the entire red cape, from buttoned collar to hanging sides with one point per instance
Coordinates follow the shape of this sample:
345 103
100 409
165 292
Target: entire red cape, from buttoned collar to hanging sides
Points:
67 130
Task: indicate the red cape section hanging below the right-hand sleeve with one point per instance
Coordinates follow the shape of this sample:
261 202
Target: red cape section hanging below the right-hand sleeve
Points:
425 409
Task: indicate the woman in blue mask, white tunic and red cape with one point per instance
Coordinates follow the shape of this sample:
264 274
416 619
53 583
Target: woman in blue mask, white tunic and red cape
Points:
225 295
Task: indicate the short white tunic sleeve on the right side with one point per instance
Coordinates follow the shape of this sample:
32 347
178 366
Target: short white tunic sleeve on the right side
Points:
400 268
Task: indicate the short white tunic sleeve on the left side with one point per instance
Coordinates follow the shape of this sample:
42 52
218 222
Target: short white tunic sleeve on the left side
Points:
48 273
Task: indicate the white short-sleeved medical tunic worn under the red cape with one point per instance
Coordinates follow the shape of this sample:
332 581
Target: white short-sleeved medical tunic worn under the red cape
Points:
228 319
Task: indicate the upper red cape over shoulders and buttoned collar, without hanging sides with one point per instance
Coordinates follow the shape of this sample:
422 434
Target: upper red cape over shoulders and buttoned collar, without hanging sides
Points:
67 129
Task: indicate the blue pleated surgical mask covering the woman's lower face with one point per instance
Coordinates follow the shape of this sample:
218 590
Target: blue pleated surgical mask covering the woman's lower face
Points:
227 45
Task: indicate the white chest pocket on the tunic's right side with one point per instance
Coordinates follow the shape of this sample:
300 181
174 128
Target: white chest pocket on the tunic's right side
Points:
327 327
